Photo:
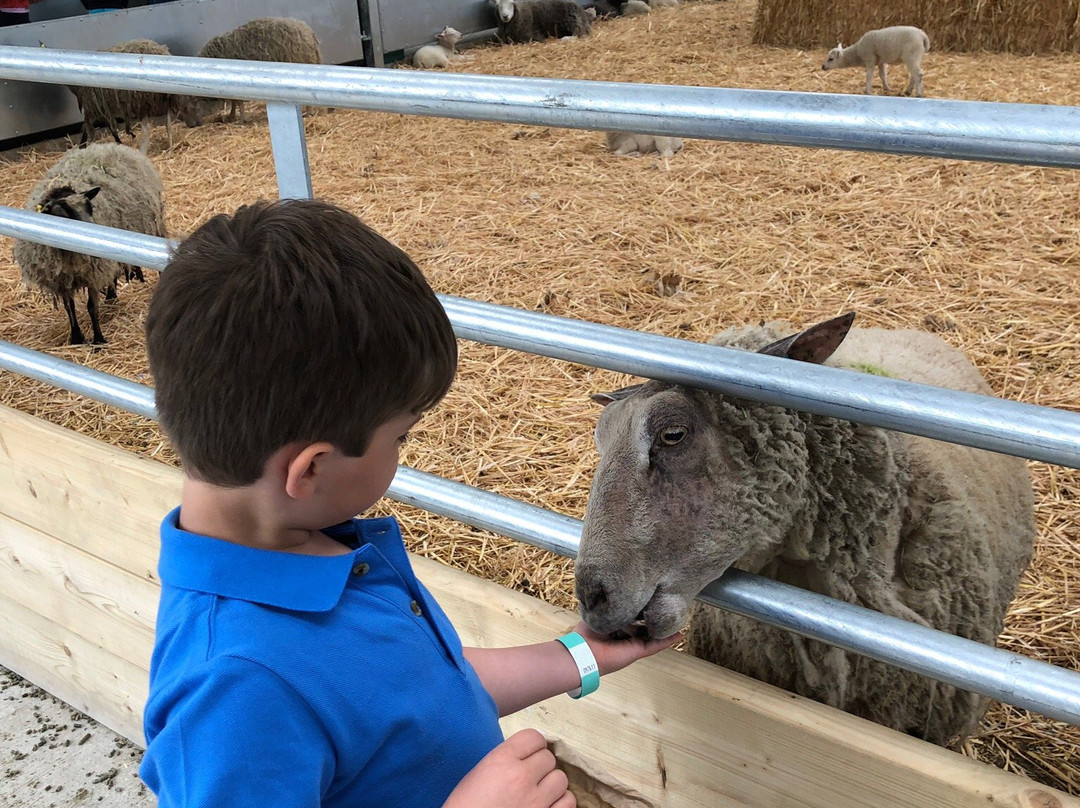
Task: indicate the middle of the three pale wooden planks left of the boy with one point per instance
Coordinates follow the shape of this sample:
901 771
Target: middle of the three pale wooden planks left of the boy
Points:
100 602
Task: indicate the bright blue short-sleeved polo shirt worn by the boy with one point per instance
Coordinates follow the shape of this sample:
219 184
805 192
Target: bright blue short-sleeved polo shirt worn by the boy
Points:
301 681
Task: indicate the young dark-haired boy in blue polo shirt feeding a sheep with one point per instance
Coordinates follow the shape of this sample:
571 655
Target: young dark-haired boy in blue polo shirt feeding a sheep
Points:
299 662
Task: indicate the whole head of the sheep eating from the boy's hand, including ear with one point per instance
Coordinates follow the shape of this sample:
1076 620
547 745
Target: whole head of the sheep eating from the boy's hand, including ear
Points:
688 483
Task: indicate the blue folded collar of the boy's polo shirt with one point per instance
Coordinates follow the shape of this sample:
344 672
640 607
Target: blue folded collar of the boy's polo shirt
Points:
273 578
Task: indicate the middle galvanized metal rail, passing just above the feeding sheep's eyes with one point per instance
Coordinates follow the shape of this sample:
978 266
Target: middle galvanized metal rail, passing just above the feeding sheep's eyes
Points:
998 425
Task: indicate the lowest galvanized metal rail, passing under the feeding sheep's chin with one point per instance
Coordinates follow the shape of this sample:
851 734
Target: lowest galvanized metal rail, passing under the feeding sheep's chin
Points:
1048 690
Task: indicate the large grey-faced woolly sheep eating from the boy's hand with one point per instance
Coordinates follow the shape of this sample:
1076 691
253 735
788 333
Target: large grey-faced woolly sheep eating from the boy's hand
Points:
692 482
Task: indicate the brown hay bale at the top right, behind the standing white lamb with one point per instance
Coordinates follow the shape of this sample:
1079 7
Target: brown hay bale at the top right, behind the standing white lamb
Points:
1003 26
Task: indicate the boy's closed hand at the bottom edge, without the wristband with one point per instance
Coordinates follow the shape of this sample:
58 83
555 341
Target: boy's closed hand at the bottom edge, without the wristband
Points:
520 773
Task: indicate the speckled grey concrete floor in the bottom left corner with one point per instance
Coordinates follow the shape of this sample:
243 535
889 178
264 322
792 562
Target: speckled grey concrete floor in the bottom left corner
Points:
53 757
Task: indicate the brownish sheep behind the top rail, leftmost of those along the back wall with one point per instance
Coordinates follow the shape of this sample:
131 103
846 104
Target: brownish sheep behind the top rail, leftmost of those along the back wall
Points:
104 106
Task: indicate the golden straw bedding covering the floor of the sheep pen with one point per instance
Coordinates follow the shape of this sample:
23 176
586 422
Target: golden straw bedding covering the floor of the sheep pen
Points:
547 220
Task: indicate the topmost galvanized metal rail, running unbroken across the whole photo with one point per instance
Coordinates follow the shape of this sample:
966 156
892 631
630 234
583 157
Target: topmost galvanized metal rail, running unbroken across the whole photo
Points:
1014 133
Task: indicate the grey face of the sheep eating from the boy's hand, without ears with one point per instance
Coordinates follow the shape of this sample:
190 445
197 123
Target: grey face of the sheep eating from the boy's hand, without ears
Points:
665 515
